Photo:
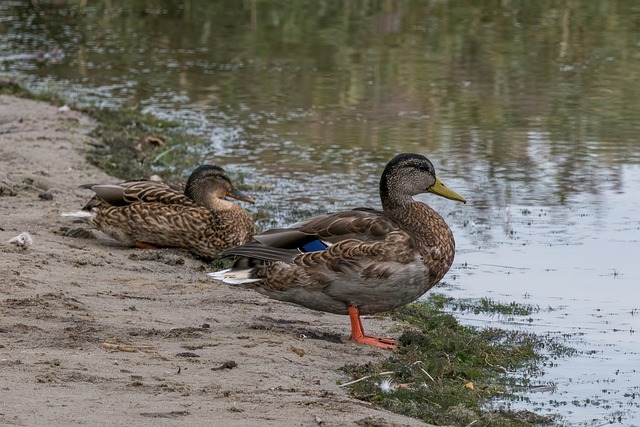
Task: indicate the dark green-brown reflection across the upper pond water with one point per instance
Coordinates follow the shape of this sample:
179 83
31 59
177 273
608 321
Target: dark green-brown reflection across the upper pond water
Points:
477 85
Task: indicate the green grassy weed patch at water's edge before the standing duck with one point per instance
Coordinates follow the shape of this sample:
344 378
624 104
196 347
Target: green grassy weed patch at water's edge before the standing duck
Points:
446 373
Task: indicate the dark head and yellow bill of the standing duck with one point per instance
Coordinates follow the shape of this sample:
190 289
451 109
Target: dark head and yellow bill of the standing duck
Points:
408 174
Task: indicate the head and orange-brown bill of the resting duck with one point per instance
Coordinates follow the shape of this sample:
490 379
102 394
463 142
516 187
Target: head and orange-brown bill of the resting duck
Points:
208 182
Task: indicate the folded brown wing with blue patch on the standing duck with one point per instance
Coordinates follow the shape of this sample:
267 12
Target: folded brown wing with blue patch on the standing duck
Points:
315 234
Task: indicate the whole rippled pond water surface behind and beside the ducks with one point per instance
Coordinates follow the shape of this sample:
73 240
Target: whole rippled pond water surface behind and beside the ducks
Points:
528 109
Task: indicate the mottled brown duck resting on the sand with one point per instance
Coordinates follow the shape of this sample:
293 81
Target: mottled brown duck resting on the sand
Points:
196 216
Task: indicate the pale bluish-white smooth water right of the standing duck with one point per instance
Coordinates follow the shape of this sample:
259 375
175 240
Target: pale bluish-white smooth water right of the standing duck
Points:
579 265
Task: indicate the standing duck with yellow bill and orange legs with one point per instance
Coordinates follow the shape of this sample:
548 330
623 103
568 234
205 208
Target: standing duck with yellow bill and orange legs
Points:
356 262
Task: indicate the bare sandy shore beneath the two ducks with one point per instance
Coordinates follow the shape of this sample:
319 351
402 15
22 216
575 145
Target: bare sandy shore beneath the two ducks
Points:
71 291
